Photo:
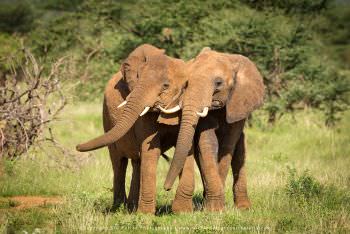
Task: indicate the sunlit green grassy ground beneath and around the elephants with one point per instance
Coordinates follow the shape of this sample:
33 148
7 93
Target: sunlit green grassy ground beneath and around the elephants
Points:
298 179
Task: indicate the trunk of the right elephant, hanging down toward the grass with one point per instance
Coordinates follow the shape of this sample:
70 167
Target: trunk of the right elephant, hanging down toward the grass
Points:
190 116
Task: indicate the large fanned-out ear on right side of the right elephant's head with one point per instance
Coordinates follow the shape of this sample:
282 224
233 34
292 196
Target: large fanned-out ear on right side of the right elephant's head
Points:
248 89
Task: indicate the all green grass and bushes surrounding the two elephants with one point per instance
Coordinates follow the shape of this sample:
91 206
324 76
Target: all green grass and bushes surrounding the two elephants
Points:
298 143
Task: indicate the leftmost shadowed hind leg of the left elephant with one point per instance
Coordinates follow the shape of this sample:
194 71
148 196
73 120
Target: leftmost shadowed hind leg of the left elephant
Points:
119 164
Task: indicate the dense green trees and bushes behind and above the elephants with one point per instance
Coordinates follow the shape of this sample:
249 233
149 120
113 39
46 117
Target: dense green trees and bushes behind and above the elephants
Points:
299 46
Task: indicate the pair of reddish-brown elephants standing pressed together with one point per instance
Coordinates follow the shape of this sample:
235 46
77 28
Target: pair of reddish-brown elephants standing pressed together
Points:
156 102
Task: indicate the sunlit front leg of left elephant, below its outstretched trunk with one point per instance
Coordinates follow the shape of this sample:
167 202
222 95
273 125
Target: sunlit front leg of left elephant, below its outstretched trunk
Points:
149 159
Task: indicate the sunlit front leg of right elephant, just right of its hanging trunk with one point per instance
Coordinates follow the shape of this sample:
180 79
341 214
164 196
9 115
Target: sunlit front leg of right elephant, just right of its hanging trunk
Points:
214 191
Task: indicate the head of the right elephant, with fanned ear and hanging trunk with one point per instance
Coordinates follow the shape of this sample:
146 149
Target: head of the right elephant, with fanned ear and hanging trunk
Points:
215 80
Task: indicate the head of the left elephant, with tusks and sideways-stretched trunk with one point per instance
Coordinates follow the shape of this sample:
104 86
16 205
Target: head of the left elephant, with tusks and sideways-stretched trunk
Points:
155 82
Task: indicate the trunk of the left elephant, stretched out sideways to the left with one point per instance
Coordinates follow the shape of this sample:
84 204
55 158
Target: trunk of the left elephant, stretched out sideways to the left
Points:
132 110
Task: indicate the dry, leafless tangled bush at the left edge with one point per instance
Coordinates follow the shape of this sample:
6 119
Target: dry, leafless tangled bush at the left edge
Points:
26 106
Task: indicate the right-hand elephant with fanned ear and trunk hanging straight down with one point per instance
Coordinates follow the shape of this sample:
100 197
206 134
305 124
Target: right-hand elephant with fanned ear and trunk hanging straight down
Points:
229 87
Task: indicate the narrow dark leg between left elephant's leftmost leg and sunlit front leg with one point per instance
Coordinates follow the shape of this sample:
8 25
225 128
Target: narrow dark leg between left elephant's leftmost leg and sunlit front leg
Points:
134 192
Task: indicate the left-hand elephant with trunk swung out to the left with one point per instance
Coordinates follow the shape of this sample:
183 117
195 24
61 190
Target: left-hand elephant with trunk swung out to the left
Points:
148 81
